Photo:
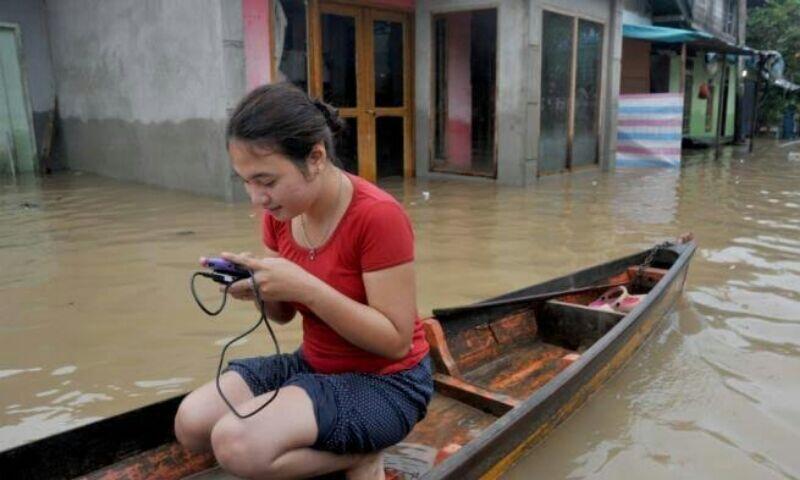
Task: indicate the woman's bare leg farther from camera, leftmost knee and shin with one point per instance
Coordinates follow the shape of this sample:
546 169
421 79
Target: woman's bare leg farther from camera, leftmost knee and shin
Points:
202 409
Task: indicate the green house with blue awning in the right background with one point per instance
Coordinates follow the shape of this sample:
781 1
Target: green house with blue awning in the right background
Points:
693 48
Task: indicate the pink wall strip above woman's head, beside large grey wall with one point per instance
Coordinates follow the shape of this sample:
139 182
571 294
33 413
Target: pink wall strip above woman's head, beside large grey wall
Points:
256 17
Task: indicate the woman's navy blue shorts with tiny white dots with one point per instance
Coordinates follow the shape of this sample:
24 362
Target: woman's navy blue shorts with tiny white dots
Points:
355 412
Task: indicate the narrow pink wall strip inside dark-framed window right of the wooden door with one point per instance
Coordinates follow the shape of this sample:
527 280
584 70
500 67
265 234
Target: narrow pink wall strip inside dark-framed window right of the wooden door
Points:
459 91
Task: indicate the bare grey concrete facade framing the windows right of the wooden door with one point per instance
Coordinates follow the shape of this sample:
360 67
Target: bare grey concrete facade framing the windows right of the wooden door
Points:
518 74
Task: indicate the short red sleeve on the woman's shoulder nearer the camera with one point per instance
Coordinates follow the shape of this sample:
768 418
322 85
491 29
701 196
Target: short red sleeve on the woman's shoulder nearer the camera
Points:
387 237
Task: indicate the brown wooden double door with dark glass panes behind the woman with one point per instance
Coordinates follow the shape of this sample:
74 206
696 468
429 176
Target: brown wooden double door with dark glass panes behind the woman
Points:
360 62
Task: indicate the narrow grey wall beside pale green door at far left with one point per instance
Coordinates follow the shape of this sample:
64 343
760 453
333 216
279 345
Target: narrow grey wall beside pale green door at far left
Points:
31 18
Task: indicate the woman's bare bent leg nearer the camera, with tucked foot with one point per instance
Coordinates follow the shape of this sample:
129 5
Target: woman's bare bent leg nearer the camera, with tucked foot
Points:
274 443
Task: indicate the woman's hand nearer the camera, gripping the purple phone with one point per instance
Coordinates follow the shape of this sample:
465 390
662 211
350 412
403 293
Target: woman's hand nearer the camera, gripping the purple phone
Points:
277 279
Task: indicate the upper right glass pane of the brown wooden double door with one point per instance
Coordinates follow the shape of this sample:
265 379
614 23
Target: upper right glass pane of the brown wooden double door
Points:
388 45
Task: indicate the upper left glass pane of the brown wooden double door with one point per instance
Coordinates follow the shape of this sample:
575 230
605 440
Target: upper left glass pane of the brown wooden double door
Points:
339 60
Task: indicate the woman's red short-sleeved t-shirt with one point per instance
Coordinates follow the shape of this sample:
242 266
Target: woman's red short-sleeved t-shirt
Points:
374 233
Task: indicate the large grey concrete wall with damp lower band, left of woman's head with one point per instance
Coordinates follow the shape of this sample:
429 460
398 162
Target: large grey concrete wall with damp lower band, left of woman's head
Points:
144 88
